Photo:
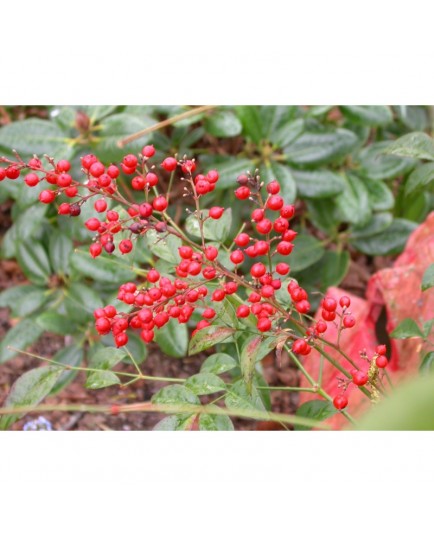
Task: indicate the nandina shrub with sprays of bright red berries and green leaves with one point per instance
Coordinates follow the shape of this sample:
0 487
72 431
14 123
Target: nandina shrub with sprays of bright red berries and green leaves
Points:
240 295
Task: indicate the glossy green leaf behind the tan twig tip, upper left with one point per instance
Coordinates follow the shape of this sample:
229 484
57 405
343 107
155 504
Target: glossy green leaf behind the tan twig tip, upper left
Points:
116 127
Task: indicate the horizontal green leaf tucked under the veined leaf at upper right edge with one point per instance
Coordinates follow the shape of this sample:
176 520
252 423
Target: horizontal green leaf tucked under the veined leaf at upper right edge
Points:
376 165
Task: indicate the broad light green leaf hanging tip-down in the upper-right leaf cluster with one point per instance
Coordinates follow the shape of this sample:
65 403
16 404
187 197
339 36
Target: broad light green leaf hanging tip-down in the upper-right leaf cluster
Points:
353 202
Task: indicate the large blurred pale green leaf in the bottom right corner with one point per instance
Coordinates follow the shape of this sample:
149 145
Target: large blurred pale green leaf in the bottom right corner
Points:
408 407
